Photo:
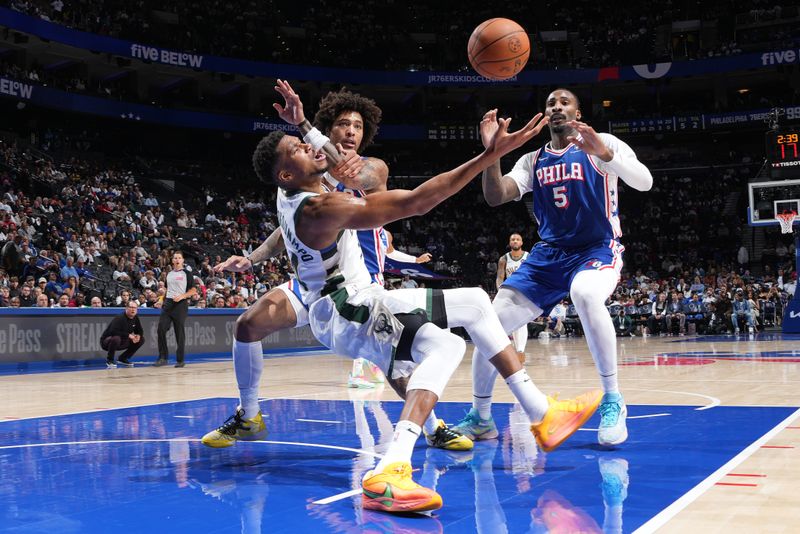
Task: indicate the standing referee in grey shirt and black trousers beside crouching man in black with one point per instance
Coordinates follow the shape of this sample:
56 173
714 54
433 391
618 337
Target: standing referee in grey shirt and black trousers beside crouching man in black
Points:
180 288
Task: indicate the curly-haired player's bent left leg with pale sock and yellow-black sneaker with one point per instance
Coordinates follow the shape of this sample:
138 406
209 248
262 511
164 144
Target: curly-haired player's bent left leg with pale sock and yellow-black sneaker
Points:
276 310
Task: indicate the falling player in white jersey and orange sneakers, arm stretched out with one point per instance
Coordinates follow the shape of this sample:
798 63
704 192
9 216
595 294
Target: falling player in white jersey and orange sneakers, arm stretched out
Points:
355 317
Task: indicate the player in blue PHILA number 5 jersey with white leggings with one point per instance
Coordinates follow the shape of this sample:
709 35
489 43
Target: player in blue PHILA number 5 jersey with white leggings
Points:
573 179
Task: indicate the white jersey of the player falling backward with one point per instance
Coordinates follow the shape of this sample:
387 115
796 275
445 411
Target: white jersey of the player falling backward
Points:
319 272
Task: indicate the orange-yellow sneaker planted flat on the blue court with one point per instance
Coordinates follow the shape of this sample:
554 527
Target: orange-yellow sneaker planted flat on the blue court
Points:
393 490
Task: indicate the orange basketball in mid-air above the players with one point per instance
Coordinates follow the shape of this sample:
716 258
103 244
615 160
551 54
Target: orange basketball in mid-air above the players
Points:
498 48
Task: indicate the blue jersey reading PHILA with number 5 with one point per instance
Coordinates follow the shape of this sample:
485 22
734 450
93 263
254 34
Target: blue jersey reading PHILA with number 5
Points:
575 203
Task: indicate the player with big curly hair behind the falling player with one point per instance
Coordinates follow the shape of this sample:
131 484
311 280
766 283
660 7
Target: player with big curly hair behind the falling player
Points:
351 121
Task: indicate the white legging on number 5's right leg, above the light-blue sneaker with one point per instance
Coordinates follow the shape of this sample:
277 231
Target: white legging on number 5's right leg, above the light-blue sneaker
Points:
589 291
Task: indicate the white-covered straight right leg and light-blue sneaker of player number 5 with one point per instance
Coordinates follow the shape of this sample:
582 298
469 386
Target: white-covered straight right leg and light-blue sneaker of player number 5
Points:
589 290
